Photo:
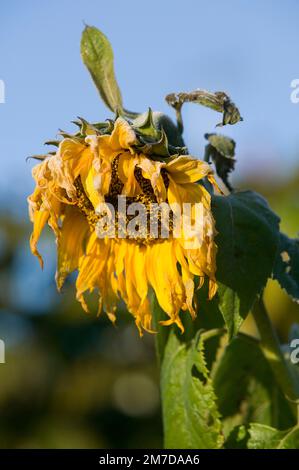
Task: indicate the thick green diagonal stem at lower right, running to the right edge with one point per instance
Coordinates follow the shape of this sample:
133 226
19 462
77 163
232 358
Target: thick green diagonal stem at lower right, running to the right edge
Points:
271 349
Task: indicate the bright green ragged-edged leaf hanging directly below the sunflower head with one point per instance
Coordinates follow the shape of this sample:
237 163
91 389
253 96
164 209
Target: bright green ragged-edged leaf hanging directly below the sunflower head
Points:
191 418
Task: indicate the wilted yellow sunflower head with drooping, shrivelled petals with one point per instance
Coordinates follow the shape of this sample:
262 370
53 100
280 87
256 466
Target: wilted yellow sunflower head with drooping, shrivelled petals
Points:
97 168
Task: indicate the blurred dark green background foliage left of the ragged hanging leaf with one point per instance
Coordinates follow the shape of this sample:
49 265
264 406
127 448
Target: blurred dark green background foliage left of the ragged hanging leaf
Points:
70 380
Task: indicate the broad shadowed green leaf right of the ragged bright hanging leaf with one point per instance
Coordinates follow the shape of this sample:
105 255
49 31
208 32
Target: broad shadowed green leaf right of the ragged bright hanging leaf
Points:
246 387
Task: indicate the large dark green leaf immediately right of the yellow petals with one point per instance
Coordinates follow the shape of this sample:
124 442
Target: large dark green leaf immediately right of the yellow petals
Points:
248 237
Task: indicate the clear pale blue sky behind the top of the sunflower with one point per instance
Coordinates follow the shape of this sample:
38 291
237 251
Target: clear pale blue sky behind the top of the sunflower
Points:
247 48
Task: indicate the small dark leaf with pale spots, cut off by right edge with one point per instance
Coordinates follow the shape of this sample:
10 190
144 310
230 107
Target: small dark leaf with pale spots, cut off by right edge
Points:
286 269
